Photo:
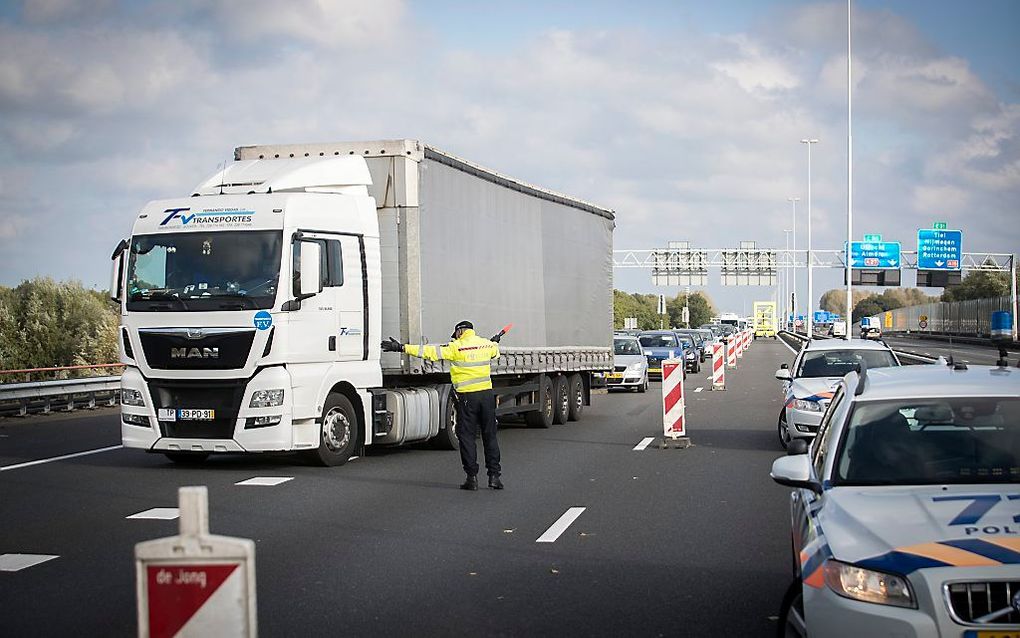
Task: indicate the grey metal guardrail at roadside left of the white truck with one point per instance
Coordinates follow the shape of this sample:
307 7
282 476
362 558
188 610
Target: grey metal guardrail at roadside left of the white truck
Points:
43 397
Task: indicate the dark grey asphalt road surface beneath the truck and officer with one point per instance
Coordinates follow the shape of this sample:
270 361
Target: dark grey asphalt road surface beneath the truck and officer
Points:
691 543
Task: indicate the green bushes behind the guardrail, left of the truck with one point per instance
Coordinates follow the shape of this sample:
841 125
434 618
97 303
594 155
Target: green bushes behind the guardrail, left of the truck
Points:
48 324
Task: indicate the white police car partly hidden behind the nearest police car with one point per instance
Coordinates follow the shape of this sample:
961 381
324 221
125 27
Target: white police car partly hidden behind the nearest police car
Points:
818 369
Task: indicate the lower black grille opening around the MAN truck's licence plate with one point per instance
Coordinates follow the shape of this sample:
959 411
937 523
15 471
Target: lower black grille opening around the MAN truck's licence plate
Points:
223 397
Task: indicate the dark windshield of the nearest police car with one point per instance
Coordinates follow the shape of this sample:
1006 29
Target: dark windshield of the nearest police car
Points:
933 441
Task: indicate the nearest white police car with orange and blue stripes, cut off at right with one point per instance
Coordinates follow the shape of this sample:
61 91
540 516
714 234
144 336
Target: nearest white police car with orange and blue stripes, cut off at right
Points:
906 513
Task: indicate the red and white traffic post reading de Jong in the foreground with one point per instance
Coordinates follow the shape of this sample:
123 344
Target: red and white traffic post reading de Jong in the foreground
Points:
196 584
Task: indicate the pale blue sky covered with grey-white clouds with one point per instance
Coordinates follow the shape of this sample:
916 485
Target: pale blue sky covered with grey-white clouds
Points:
683 117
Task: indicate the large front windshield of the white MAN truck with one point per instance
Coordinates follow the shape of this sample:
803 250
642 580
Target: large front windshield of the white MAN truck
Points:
219 271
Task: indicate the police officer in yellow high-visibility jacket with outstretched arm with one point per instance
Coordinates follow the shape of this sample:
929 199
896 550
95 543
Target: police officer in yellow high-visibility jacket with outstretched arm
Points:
471 371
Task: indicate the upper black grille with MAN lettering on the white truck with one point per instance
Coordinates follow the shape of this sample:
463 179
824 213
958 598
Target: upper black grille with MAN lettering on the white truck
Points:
210 349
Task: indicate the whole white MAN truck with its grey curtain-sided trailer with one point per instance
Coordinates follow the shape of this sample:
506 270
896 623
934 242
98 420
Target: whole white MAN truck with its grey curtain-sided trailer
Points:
252 309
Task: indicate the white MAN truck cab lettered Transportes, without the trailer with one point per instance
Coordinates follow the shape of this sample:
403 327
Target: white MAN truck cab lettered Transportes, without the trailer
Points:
246 307
